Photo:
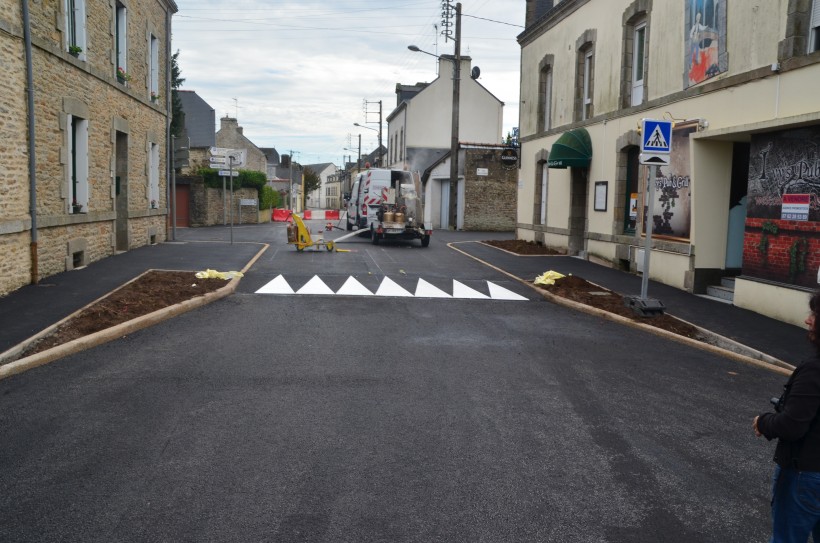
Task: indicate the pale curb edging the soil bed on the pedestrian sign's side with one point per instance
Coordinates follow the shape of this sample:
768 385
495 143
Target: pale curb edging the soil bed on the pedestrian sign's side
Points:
723 346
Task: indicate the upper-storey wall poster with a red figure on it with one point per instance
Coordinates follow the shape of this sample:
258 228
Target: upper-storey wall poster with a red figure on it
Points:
705 39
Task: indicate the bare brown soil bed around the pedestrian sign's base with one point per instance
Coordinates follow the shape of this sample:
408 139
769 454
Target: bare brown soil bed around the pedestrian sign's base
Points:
582 291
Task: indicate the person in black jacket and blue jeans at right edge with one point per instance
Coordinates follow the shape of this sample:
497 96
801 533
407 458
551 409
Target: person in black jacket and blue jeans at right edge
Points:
796 425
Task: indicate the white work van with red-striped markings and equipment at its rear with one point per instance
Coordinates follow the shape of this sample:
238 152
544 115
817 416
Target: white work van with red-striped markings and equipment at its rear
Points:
379 197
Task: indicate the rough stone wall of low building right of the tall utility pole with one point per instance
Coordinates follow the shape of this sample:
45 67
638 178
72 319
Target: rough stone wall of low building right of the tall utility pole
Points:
489 191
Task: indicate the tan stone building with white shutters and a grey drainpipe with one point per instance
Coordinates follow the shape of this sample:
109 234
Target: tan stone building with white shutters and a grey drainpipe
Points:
93 180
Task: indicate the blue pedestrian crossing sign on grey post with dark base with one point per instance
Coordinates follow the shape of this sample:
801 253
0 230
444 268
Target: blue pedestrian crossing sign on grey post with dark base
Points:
656 146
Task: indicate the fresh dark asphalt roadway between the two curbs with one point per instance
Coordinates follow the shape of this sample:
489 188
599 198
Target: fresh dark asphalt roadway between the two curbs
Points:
268 417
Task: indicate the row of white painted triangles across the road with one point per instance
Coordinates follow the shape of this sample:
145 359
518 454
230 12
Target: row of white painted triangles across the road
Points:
389 288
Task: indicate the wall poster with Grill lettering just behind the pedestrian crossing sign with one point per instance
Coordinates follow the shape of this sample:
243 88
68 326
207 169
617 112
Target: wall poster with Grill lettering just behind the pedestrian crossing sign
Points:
672 208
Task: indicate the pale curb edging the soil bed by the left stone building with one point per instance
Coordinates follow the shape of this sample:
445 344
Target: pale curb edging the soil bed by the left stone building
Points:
120 330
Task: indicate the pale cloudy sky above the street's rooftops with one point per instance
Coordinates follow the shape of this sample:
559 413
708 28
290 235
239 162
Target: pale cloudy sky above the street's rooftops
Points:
296 74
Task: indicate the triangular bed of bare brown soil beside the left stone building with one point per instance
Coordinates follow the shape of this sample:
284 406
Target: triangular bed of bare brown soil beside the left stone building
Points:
152 291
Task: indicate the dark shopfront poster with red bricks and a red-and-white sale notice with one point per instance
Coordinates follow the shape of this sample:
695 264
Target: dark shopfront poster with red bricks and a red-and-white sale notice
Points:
782 234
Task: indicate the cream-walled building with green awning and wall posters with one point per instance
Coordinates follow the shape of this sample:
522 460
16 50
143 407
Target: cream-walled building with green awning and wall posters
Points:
740 196
